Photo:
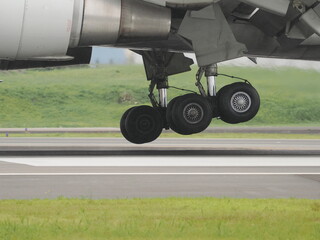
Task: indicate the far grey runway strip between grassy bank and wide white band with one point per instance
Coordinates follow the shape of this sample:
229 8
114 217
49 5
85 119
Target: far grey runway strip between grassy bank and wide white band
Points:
182 146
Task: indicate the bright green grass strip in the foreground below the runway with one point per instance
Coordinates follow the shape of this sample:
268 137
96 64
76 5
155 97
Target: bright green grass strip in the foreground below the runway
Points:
175 218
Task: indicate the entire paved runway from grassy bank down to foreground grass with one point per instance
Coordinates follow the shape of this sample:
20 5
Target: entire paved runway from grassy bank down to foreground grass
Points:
113 168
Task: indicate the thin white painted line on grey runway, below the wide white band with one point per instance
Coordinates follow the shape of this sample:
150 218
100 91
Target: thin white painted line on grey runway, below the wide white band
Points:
154 174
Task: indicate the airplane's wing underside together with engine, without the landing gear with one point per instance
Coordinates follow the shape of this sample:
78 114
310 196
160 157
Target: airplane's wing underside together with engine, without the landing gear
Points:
216 30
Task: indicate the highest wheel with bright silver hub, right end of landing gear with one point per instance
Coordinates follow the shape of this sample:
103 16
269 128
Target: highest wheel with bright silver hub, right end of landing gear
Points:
238 102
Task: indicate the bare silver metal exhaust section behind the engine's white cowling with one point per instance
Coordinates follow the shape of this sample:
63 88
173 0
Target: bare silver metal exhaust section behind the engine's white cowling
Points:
112 21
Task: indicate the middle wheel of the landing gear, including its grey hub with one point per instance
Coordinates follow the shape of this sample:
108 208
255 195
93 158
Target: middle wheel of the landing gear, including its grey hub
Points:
192 113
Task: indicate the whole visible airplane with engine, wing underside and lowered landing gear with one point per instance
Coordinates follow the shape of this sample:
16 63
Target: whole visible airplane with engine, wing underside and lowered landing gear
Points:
47 33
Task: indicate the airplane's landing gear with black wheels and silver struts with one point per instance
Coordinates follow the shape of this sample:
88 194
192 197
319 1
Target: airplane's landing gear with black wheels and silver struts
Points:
192 113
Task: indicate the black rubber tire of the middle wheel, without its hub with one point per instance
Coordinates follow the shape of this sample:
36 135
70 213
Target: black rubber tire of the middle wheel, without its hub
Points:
179 120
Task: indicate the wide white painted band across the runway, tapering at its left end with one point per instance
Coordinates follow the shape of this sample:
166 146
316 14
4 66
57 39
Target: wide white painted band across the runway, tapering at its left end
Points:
152 161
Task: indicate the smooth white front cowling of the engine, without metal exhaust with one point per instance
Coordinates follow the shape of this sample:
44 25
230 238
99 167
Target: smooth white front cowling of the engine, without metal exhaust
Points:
35 28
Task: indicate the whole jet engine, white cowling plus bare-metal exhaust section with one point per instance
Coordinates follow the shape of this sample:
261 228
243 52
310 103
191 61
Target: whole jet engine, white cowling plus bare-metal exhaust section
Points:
46 29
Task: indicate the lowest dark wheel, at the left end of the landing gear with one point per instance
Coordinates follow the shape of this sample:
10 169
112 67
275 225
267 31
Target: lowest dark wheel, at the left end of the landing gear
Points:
143 125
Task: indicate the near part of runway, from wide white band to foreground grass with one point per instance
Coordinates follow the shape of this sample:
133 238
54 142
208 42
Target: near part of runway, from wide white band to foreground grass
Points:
140 177
